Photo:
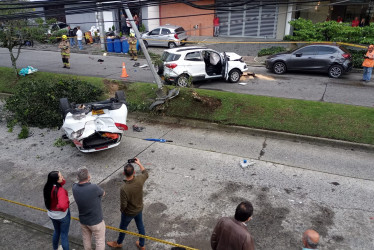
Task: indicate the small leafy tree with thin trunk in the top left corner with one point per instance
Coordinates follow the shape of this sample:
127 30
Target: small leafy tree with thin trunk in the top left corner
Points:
15 32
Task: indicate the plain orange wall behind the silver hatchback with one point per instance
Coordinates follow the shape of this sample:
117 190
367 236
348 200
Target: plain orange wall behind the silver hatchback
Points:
204 22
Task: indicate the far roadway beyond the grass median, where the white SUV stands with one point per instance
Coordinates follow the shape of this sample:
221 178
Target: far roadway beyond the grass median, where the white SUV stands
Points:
316 87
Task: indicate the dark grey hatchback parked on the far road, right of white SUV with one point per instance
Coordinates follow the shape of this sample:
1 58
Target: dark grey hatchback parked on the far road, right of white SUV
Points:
332 59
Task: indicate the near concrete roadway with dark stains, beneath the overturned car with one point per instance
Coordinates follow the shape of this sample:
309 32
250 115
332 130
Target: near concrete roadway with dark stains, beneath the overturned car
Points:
196 179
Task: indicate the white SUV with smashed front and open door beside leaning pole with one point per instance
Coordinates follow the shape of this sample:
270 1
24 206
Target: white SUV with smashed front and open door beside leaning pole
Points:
200 63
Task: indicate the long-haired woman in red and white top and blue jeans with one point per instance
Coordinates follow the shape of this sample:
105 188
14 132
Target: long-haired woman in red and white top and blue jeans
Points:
56 200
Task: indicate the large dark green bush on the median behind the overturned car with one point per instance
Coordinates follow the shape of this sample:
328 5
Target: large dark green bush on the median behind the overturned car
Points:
36 103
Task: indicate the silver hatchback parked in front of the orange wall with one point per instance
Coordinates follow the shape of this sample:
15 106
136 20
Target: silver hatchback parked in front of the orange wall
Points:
167 36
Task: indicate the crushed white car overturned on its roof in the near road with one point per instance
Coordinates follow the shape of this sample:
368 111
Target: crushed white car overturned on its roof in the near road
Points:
95 126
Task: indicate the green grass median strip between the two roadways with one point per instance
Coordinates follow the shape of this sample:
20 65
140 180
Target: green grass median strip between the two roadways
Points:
336 121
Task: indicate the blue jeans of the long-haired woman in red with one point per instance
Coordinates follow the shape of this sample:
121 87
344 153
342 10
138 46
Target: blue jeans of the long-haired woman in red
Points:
61 228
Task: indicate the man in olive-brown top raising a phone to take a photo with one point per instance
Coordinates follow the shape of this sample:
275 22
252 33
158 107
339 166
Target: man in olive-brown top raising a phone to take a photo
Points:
131 196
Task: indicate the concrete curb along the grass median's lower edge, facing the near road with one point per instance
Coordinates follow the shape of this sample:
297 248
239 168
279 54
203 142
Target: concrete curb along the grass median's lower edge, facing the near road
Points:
251 131
